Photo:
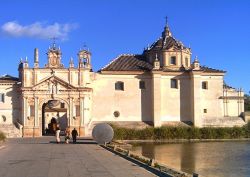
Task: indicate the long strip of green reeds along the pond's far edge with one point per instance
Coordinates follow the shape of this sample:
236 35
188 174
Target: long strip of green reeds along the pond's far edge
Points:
170 132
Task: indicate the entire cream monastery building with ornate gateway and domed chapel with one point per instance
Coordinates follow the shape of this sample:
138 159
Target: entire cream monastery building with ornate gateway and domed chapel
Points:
161 86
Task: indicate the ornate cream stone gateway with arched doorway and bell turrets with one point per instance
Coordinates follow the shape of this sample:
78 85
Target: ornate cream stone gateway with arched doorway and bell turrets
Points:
54 95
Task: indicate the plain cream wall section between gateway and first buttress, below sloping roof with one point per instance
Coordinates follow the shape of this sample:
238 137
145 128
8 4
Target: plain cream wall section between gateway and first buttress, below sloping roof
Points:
133 104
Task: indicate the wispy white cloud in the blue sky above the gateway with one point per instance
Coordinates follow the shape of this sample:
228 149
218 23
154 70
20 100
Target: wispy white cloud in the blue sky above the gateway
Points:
38 30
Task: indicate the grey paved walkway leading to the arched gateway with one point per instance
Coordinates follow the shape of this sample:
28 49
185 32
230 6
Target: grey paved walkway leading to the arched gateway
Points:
42 157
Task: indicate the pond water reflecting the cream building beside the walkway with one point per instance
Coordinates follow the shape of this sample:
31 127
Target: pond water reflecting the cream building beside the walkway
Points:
205 158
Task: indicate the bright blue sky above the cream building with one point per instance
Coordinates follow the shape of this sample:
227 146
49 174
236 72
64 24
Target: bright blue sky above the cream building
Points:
217 31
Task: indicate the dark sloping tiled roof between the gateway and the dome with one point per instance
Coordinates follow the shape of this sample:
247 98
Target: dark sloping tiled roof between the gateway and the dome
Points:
128 63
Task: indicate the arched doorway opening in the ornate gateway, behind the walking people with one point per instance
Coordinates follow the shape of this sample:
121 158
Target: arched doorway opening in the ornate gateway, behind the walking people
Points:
54 114
